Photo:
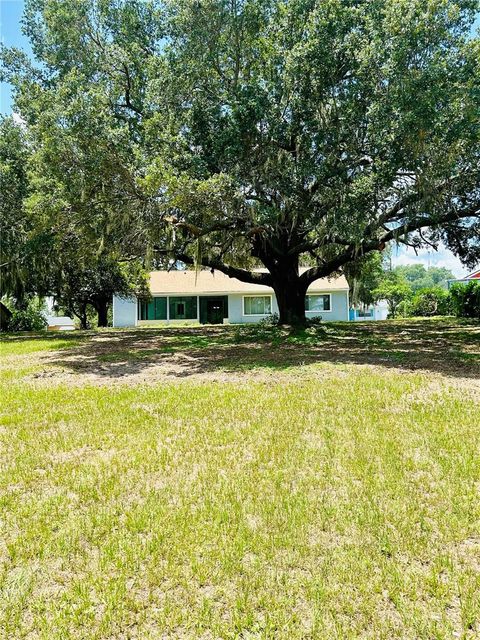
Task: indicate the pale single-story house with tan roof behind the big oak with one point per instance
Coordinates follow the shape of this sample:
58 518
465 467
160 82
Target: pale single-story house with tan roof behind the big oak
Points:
207 297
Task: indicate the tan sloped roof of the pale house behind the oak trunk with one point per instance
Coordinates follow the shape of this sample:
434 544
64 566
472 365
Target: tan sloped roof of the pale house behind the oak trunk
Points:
206 282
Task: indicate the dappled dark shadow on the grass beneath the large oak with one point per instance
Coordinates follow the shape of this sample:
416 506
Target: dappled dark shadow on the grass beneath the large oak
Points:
441 346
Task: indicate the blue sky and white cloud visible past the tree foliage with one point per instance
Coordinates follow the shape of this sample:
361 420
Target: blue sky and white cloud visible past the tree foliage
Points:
11 35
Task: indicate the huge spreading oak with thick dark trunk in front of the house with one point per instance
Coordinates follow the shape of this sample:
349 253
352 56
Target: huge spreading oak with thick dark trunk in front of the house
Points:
263 132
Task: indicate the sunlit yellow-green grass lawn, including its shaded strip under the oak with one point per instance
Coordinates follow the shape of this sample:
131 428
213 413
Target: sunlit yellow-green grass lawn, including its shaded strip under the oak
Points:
221 483
